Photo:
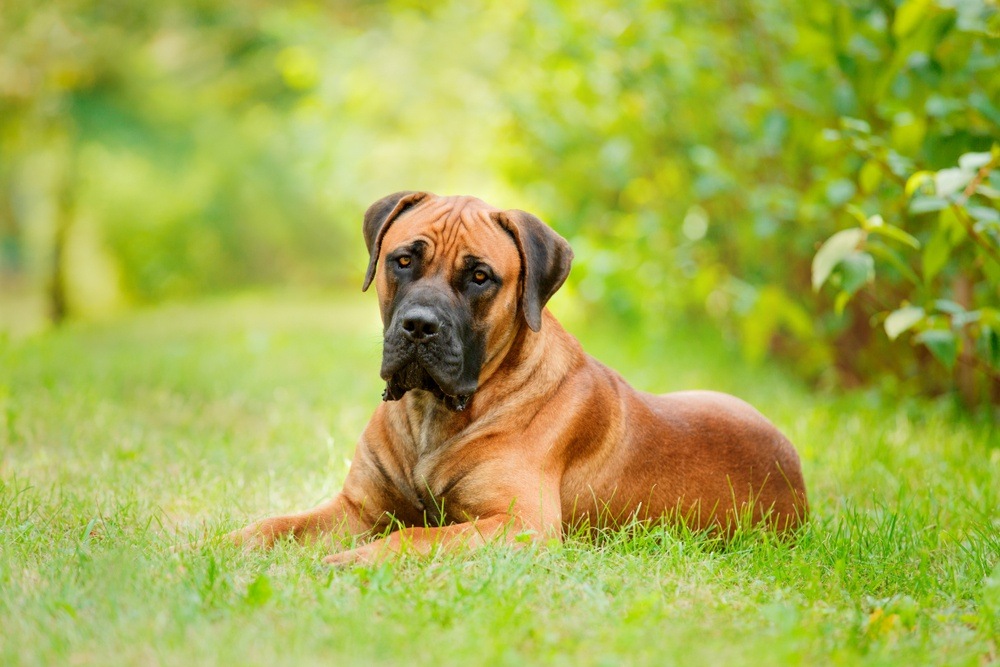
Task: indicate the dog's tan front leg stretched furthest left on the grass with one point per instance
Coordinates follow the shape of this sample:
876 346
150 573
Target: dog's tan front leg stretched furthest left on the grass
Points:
340 516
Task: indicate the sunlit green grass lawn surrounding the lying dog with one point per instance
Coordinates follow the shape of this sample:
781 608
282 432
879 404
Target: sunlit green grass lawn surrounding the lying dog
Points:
119 440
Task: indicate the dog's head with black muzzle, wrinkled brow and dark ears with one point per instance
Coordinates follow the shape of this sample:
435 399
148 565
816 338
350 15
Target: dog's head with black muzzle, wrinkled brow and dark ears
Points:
456 280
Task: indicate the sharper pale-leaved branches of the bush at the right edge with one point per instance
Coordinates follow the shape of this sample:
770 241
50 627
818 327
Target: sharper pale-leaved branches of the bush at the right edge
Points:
939 290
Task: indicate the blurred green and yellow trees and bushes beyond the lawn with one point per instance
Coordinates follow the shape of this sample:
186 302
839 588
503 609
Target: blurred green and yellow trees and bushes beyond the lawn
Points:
697 155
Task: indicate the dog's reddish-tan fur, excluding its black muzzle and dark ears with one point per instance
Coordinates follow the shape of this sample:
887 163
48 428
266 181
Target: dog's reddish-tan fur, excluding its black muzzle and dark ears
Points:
551 439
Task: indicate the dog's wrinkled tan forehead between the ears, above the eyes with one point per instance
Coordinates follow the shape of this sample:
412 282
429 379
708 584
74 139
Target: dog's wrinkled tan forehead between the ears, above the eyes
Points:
453 228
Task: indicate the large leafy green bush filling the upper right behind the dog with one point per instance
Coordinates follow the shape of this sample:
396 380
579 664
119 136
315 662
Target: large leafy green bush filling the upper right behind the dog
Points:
721 144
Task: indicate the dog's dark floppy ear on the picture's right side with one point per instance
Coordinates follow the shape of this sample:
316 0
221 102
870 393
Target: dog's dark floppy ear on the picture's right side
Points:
545 261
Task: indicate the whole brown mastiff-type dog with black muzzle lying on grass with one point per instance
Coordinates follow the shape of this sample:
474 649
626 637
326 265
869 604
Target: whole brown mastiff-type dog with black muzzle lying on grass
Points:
496 424
